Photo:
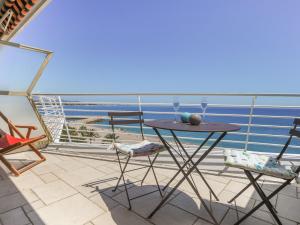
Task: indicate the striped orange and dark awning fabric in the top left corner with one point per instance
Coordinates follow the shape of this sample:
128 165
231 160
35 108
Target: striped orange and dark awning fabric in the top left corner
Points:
19 8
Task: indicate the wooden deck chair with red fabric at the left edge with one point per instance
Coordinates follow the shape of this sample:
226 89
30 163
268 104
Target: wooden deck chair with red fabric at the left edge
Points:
9 143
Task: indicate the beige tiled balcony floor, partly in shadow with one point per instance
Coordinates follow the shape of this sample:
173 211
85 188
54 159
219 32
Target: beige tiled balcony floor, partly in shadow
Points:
77 190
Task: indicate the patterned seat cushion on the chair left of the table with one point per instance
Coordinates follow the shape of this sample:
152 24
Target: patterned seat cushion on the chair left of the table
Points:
144 148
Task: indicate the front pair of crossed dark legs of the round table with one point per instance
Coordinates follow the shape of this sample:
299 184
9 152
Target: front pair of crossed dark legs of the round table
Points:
186 174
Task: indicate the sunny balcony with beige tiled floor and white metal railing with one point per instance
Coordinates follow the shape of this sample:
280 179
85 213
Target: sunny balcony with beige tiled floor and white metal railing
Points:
74 185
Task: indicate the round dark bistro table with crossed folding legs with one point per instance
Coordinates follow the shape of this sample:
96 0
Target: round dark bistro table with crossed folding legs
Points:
189 165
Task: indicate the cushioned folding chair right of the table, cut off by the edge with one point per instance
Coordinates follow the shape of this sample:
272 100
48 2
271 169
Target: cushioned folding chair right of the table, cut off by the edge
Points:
264 165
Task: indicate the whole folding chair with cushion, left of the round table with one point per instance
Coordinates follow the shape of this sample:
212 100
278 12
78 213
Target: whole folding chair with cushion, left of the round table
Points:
144 148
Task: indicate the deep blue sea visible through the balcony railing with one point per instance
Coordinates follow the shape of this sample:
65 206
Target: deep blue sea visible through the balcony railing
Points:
256 143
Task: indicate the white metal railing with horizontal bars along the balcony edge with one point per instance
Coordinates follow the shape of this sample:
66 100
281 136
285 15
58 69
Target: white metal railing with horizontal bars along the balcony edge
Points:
264 125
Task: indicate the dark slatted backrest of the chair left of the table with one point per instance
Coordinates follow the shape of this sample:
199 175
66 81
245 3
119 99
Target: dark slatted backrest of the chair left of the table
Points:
121 118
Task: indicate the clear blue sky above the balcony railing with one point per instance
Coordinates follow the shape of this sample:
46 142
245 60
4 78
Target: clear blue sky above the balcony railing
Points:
169 45
